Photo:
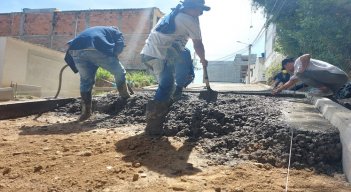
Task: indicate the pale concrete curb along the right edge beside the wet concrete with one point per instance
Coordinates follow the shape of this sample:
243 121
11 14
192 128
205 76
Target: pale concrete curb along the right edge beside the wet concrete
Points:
340 117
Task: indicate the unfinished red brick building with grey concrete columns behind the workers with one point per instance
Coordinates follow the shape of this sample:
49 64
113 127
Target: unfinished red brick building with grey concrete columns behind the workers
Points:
53 28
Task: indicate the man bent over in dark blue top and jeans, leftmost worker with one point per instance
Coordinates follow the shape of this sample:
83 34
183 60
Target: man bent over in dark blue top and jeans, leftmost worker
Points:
96 47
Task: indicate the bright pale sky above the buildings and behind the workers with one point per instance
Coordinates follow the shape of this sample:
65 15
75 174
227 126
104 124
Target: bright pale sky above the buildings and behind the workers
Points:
227 22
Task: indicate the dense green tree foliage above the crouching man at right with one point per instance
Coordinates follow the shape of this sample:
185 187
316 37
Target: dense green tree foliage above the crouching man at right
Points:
319 27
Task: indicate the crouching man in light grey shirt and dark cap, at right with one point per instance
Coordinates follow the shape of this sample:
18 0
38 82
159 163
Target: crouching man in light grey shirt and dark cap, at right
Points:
326 78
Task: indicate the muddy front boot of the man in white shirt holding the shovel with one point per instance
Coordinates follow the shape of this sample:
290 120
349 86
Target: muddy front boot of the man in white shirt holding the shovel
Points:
155 116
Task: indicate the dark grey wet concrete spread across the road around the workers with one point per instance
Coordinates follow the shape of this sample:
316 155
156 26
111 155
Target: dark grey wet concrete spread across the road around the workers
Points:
234 128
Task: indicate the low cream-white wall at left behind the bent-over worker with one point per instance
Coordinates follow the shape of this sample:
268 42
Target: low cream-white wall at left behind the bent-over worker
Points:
24 63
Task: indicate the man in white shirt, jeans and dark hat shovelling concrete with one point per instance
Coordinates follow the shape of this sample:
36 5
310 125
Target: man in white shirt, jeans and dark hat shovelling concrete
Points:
163 51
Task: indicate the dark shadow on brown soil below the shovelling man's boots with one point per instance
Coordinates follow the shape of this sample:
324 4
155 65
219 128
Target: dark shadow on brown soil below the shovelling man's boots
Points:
146 151
